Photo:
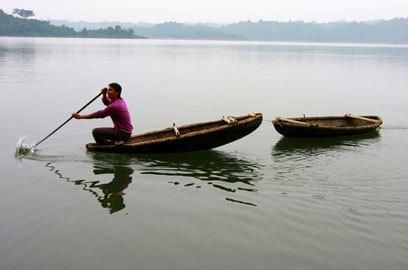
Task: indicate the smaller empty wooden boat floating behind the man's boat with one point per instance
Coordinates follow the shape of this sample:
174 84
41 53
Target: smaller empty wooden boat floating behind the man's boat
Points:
327 126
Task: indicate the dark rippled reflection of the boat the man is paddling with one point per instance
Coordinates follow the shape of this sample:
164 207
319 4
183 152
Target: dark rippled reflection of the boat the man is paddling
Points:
223 171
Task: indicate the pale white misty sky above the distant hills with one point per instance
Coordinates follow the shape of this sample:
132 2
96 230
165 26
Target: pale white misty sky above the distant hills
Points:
217 11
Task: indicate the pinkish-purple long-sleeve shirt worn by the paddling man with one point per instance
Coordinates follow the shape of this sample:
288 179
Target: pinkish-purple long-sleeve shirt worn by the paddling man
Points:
119 113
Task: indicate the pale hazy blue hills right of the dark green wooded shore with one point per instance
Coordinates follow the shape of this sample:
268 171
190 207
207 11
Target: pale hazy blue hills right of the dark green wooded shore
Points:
383 31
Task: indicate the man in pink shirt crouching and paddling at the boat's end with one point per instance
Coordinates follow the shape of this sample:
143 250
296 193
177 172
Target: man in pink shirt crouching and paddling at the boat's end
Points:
117 110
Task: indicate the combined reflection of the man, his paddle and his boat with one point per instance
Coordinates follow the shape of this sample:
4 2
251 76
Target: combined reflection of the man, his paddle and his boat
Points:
230 173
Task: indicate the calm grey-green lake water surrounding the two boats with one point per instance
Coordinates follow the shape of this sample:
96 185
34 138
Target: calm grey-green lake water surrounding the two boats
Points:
262 202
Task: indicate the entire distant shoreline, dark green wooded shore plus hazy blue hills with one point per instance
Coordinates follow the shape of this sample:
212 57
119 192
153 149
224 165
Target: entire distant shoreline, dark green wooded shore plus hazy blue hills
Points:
376 32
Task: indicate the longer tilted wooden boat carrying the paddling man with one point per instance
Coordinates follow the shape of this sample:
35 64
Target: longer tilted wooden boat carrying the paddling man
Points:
200 136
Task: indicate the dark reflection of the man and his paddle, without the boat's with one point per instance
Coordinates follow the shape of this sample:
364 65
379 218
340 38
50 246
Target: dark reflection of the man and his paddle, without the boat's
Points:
111 196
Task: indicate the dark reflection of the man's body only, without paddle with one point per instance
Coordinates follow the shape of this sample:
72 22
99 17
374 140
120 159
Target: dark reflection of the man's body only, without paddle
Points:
113 191
